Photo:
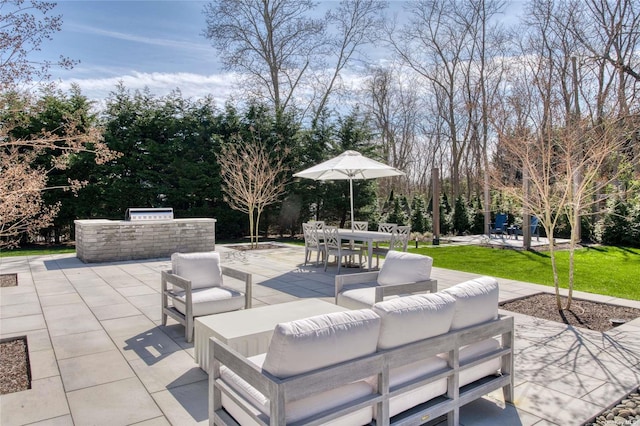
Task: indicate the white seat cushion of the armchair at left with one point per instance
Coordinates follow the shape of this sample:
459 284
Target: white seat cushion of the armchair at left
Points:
212 300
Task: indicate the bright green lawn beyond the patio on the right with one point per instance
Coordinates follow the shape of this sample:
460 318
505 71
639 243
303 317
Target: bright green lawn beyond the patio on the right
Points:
603 270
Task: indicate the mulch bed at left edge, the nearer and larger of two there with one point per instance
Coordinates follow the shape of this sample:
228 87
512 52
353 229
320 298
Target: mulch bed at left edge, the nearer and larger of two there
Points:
14 366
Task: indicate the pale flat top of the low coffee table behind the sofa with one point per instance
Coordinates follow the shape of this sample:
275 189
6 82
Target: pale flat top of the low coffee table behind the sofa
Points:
265 318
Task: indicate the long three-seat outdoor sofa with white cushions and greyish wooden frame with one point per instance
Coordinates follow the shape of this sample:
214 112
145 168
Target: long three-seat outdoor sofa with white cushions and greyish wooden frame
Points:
404 361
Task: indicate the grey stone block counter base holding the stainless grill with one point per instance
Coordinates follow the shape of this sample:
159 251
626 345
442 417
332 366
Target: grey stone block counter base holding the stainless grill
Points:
109 240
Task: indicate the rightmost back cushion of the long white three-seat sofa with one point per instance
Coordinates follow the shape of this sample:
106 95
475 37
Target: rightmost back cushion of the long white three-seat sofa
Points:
476 301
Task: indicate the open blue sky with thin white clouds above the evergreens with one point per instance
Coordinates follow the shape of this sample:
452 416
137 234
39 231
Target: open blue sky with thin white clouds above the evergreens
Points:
142 43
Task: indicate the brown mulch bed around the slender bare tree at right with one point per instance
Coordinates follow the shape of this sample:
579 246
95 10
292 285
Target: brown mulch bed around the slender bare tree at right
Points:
585 314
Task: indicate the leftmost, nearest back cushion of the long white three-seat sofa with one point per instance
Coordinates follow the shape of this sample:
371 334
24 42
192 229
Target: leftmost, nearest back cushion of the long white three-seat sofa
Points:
308 344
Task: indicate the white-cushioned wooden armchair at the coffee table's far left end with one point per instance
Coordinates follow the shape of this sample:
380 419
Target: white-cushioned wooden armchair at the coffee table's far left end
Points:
197 289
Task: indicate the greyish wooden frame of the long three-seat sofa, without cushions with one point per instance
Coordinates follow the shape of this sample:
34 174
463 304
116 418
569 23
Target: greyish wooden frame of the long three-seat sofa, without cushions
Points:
281 391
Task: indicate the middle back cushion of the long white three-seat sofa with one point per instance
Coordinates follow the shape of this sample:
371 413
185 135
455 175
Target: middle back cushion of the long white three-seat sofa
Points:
412 318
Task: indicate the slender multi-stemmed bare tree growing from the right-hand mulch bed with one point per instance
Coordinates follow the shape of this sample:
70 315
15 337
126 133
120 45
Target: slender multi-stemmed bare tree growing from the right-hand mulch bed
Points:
551 160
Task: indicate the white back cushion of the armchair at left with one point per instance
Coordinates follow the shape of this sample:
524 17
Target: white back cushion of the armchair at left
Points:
202 268
